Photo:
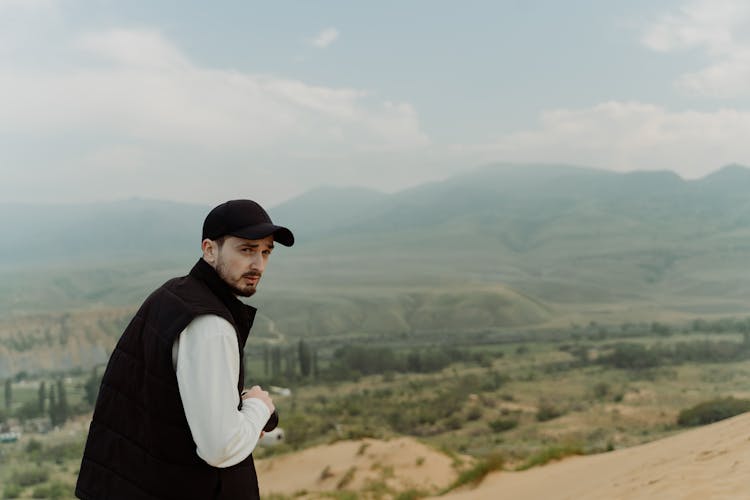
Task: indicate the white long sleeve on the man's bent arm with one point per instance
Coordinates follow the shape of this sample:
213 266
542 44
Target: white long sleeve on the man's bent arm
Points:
206 358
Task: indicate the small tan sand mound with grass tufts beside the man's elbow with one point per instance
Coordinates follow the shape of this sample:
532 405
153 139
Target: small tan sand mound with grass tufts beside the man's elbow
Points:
401 464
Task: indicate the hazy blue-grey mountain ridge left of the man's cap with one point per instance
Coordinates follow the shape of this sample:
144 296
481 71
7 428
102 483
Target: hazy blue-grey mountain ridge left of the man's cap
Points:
65 235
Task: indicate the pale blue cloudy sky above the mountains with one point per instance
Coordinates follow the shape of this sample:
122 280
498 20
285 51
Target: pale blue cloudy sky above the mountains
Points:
201 102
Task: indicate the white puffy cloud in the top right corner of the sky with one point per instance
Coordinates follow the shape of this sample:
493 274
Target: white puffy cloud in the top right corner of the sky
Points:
718 28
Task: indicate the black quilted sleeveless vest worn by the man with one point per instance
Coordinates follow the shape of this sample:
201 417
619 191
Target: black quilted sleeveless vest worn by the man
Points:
139 444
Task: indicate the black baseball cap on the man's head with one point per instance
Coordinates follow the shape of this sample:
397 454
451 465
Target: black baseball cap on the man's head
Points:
245 219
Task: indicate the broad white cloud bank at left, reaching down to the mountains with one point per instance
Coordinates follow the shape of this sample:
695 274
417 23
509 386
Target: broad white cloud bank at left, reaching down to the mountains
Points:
131 114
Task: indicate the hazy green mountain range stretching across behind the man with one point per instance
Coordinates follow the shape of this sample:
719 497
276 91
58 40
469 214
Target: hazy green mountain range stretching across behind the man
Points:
501 248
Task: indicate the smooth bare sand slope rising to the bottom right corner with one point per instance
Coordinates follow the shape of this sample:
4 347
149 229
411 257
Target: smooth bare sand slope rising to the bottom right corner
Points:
708 463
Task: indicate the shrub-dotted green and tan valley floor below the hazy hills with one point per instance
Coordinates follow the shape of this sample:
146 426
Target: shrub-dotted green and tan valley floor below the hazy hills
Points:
528 397
